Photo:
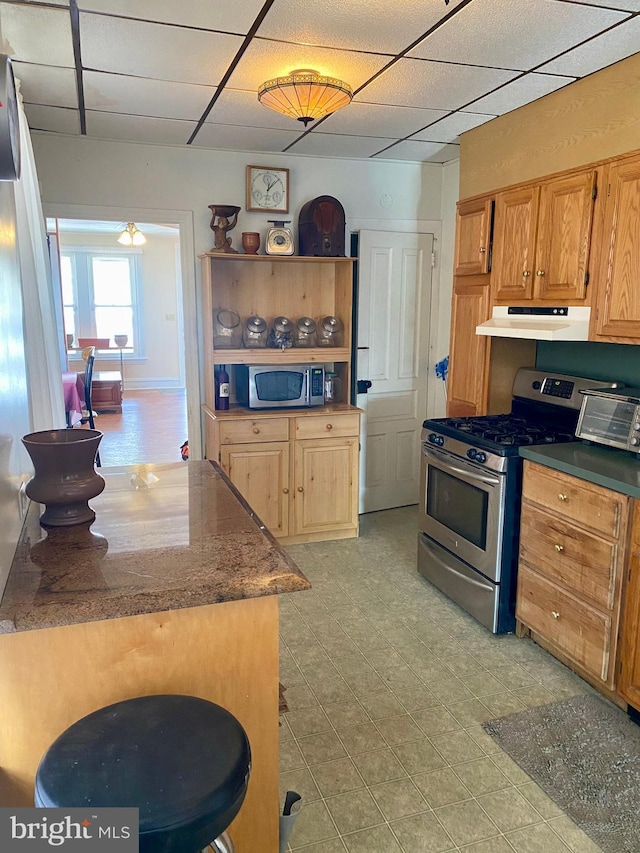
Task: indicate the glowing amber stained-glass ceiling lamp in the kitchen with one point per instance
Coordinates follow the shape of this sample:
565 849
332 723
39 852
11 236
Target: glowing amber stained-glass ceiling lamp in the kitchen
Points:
305 95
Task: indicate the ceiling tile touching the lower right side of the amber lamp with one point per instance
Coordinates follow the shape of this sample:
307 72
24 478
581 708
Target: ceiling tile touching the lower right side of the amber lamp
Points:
362 119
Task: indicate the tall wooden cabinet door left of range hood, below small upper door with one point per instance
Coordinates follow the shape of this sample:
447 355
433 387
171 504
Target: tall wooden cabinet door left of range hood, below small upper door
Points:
469 359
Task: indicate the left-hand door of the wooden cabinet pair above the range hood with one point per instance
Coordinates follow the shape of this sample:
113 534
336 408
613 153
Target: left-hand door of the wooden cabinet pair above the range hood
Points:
514 240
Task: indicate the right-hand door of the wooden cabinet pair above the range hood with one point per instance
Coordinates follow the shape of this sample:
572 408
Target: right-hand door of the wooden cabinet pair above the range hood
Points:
564 238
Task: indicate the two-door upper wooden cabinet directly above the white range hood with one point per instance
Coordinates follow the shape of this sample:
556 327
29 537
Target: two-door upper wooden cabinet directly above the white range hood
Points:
541 241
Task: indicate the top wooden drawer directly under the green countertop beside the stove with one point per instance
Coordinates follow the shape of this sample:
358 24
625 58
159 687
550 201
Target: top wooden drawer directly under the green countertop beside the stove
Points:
590 506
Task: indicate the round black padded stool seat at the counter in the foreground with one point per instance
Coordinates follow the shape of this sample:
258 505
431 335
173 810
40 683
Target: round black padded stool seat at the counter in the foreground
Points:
183 761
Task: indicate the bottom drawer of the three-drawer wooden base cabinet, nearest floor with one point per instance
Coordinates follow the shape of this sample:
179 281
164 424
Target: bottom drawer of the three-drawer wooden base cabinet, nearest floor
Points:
582 632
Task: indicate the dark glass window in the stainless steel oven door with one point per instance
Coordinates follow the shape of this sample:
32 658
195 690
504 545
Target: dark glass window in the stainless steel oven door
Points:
460 507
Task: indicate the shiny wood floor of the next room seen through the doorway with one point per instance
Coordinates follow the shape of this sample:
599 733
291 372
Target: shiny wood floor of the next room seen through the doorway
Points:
151 428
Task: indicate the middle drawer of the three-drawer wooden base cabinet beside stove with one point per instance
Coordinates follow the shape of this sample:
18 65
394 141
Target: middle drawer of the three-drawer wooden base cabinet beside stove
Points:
570 556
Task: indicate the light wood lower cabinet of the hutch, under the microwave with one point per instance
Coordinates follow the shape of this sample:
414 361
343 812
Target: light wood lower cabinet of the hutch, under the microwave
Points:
299 472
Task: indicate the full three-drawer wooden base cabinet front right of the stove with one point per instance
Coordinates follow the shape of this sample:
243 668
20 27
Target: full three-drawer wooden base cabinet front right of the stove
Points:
572 557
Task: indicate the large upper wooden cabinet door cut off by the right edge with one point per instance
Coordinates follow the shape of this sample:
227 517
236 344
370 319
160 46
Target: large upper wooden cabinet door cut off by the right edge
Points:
618 297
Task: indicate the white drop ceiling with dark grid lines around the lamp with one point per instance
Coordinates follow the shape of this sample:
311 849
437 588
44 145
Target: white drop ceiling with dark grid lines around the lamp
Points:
187 73
